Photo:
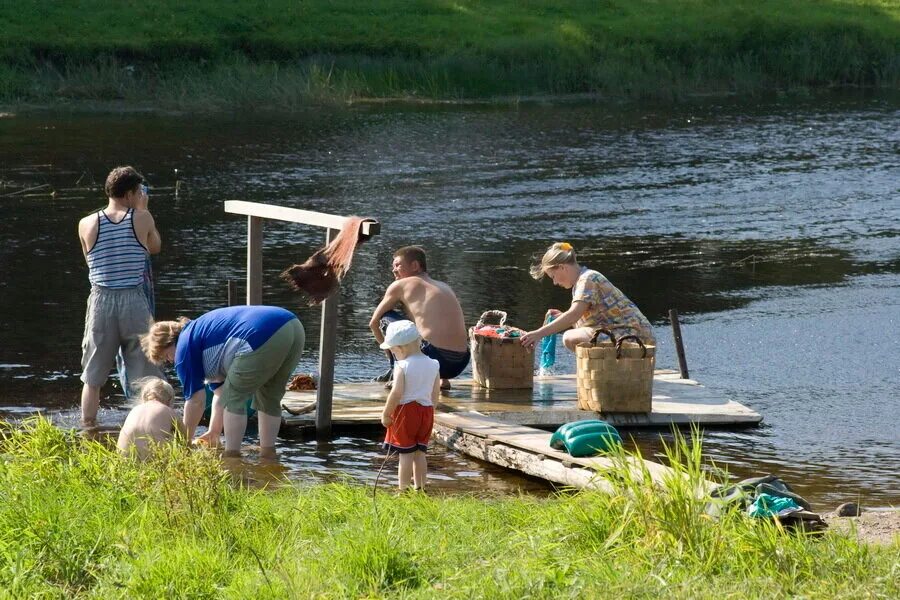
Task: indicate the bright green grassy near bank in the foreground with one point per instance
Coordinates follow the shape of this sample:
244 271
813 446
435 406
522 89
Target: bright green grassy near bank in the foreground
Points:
76 520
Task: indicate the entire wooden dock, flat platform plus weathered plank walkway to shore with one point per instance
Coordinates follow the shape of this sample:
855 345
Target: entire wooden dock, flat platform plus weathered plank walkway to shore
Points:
494 425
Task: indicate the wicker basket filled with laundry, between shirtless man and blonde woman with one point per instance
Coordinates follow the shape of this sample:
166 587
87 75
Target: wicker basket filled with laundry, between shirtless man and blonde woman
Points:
500 363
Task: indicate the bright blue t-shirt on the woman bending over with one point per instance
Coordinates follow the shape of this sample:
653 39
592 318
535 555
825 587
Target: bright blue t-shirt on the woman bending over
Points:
208 344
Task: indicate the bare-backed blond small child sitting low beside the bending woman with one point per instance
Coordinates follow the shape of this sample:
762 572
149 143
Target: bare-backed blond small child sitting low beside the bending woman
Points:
152 421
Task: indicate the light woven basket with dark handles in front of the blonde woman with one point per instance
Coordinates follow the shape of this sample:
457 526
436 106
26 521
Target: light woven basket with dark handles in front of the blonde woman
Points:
615 376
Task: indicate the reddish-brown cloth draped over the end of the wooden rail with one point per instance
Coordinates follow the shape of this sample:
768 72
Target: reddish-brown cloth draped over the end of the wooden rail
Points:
322 272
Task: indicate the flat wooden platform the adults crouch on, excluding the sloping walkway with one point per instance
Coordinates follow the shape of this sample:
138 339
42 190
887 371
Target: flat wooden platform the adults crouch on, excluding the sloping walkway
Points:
549 404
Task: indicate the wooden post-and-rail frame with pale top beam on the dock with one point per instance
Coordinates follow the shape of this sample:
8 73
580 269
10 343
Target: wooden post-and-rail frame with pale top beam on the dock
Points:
256 212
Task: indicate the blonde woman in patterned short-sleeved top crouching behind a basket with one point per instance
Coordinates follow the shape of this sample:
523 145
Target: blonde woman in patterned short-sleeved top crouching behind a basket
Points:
596 303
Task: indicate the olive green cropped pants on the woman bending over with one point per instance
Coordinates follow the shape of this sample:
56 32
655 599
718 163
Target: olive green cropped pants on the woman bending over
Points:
264 372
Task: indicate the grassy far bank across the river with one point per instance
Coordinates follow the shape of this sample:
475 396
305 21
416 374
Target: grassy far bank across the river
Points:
284 53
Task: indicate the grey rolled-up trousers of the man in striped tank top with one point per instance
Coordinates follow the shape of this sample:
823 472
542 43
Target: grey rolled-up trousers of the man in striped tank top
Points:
115 319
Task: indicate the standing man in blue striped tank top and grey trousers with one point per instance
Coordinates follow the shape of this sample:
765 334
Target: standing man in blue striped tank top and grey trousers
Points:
116 242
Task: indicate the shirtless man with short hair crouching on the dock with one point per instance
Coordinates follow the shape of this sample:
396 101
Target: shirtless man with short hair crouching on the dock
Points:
432 305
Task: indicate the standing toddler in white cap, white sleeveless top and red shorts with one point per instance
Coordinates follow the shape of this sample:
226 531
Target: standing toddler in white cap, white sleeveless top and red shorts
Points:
409 411
